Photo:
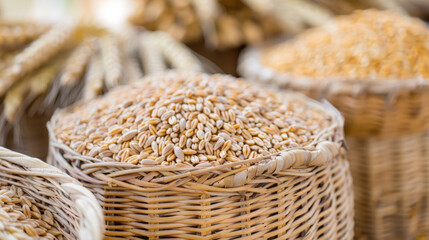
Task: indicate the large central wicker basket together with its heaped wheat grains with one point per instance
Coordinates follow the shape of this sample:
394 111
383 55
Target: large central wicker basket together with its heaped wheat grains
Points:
196 156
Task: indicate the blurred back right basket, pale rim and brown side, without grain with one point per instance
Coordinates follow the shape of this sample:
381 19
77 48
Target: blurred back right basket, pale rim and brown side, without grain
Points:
386 124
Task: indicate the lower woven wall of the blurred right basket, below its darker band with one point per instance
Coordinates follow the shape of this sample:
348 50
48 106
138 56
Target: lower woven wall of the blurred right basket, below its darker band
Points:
391 186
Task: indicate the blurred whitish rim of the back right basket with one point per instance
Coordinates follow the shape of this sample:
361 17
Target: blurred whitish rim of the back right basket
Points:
251 67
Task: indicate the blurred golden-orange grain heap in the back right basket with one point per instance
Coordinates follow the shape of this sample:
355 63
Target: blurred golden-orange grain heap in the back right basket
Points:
368 44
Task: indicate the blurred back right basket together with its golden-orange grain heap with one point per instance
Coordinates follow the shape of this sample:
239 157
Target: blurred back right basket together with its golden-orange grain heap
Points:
374 67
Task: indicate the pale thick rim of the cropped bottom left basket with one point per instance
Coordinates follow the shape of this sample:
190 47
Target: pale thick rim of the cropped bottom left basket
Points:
92 223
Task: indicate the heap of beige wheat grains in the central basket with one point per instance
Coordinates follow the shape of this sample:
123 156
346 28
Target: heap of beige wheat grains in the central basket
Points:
158 119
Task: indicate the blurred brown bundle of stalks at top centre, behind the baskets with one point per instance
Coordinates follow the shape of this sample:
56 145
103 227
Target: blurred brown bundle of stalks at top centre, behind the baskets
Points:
219 21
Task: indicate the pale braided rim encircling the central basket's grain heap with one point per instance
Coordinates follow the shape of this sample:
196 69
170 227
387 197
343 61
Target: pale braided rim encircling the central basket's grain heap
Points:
317 154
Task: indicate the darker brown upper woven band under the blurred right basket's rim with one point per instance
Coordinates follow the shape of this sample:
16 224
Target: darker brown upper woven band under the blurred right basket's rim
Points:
375 114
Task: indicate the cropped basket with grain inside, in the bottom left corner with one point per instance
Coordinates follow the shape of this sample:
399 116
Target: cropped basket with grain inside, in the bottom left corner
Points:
38 201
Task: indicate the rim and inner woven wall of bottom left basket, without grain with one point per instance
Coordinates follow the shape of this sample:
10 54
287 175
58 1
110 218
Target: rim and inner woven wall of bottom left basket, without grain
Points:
72 205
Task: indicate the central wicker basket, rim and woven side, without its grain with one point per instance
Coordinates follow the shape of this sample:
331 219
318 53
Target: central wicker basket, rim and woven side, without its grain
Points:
301 193
